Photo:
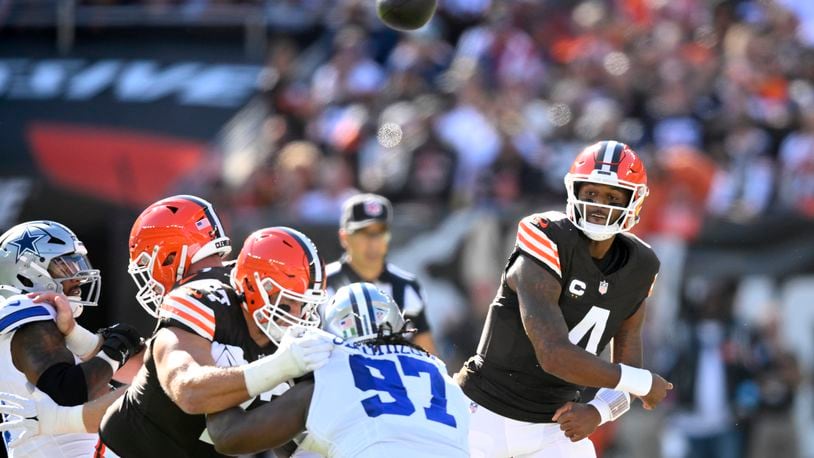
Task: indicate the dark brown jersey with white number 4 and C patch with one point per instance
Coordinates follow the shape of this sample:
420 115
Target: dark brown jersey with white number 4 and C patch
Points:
505 376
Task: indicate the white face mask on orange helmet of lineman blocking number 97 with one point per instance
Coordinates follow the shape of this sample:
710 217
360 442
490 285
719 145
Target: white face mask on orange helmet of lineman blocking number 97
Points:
273 320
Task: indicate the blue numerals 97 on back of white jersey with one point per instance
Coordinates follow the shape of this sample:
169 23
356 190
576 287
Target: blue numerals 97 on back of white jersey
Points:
388 380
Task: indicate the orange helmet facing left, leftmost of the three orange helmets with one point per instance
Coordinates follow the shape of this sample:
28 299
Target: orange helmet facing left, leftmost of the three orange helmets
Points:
166 238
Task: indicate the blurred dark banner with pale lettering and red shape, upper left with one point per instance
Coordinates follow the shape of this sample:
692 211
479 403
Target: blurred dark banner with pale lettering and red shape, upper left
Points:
122 106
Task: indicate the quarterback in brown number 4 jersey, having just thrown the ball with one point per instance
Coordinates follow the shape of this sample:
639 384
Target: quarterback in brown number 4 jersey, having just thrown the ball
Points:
573 282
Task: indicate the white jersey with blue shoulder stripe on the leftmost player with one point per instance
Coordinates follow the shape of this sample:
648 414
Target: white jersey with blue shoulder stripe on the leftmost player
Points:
15 312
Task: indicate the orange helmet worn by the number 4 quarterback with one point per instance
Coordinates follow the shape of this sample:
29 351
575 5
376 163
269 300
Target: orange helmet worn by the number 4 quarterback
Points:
610 163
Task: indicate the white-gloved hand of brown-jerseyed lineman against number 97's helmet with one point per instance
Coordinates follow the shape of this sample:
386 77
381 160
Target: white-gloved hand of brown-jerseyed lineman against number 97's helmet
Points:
305 350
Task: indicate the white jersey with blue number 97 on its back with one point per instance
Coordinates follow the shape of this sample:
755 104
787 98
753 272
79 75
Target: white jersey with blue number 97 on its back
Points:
387 400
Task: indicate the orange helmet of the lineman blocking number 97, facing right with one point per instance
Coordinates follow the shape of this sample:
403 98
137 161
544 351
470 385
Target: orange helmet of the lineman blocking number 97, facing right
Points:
279 263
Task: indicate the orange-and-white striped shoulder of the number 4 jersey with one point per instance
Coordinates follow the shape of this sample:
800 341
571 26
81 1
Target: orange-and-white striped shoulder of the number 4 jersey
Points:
539 235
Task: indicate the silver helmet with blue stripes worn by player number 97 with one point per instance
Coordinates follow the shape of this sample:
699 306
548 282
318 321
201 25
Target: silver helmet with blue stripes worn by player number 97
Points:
361 311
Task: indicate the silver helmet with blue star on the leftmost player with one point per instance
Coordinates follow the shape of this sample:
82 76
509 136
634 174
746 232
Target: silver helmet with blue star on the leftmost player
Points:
45 256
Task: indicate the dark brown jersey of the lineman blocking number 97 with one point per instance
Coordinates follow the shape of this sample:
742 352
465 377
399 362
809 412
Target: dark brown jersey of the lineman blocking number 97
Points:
145 421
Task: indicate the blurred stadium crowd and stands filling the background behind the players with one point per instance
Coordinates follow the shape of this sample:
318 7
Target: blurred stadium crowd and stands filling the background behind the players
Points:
271 109
